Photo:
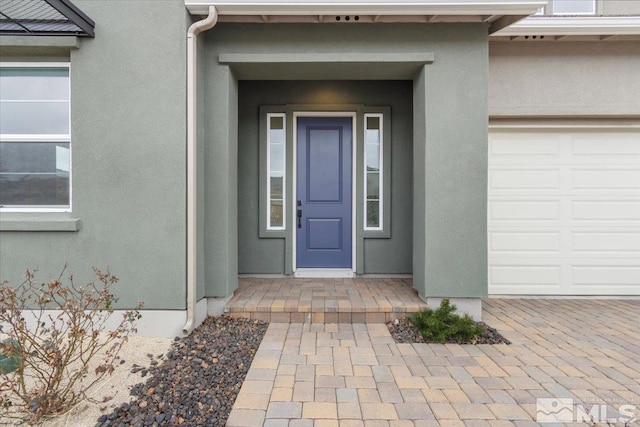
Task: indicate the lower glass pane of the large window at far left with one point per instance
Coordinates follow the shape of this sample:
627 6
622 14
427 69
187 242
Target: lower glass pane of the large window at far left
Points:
34 173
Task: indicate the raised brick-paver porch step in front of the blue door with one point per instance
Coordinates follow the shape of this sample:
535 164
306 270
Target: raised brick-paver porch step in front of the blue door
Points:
348 300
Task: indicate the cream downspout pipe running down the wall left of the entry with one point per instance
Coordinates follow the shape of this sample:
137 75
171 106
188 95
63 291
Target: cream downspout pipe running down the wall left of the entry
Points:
192 160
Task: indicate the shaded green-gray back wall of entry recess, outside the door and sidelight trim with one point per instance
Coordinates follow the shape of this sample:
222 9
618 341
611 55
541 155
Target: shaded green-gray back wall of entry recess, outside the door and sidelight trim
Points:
381 255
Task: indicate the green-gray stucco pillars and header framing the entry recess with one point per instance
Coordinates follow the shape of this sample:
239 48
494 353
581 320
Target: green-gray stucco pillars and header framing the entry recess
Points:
449 134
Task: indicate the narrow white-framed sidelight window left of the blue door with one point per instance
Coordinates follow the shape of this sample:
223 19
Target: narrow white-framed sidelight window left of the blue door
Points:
276 171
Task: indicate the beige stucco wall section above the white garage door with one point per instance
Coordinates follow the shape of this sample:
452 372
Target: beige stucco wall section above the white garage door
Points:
564 79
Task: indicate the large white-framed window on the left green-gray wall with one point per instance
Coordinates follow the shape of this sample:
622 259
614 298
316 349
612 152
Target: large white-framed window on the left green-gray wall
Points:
35 141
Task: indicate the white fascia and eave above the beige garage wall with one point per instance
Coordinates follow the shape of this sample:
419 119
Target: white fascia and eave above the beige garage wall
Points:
573 26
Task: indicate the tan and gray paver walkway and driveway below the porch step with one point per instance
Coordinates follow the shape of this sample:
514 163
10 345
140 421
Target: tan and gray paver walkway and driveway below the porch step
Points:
355 375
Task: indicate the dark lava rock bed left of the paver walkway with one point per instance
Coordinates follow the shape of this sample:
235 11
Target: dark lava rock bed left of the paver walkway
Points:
198 379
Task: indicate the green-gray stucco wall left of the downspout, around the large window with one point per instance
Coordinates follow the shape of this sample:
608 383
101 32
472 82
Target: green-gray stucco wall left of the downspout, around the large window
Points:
128 98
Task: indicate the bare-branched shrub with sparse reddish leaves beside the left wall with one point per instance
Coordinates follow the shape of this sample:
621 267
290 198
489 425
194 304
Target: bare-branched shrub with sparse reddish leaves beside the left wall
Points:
60 333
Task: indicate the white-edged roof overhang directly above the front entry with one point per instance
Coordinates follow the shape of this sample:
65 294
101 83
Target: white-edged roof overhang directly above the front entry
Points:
497 13
